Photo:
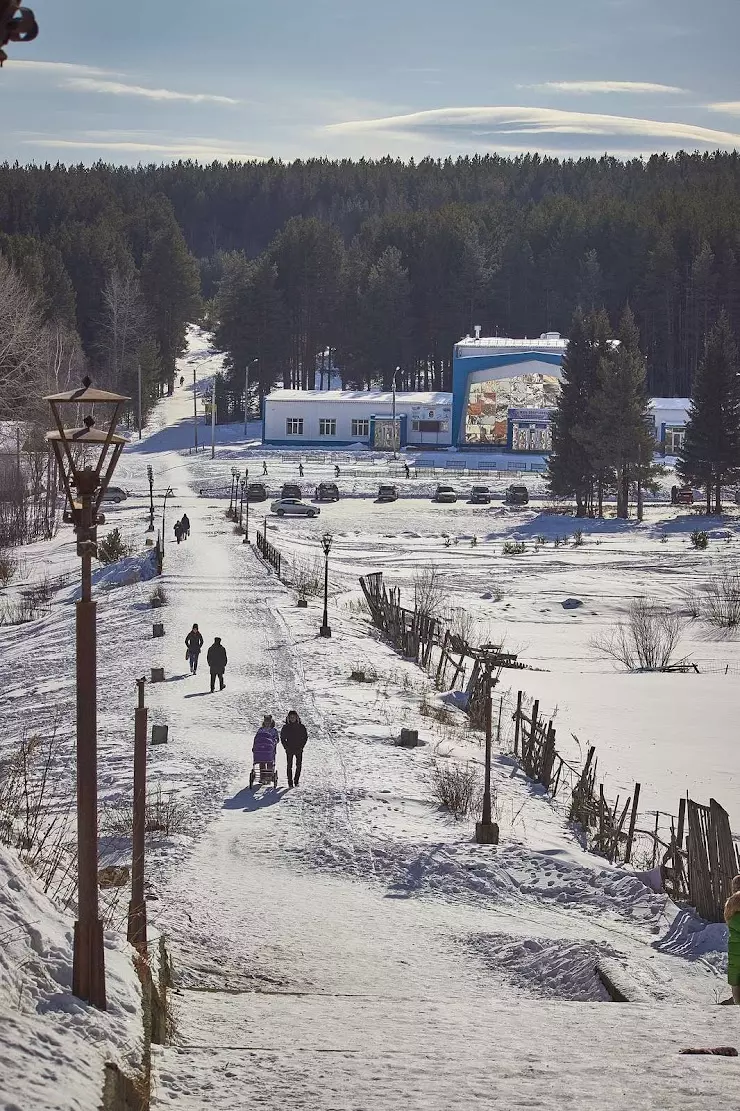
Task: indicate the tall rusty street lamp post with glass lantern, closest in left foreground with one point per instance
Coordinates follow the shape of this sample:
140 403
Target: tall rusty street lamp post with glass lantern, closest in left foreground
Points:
85 485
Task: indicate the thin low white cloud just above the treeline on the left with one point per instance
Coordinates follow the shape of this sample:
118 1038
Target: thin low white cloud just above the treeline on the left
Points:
206 151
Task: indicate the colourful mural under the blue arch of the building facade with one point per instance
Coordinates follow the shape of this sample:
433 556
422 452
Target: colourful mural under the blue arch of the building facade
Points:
489 403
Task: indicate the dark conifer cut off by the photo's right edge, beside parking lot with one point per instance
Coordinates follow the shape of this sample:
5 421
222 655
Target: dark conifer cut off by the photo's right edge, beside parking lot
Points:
712 448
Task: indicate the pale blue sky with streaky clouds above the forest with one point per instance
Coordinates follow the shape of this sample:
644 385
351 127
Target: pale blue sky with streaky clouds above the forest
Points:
154 83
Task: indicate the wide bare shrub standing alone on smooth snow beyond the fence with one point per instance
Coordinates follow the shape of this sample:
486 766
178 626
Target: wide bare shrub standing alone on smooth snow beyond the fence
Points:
647 642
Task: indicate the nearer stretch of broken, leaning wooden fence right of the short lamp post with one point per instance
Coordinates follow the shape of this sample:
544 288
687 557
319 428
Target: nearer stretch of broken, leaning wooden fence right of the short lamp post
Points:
698 860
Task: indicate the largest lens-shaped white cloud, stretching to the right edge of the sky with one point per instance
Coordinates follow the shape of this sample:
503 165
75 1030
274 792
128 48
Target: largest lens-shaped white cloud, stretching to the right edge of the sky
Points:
492 122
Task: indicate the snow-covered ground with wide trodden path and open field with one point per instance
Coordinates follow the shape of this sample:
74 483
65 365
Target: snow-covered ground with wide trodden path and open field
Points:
345 944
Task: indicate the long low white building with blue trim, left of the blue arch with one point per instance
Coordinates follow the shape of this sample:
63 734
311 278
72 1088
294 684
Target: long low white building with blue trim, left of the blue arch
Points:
341 418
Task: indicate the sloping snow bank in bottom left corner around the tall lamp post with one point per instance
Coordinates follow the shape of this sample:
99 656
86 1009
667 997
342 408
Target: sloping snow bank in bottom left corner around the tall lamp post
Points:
54 1047
